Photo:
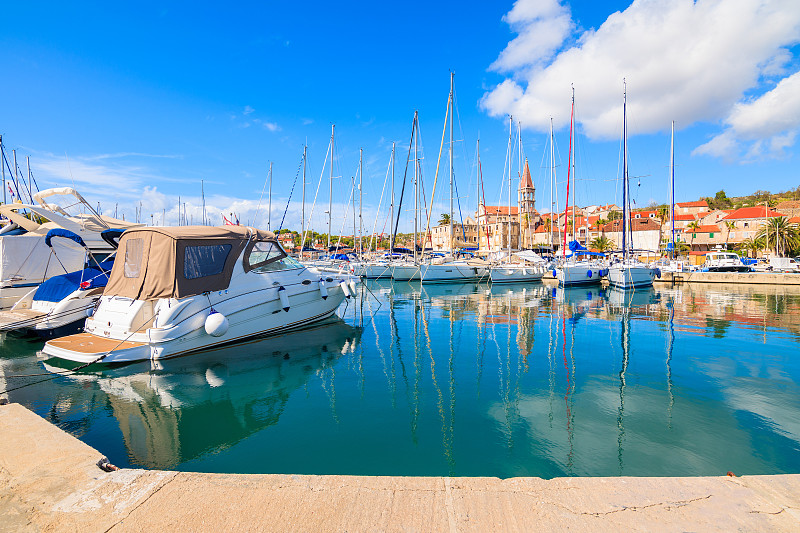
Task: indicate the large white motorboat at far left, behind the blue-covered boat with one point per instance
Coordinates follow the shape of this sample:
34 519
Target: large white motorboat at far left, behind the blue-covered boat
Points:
26 261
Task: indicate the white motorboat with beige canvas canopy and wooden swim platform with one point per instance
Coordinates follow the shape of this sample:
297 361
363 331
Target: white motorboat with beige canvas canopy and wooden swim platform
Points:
180 289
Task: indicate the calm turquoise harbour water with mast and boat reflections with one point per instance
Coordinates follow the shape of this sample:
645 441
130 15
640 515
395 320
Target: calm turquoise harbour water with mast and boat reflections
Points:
465 380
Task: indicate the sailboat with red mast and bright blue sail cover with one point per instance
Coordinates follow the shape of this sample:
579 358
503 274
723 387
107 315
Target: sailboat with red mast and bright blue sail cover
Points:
572 271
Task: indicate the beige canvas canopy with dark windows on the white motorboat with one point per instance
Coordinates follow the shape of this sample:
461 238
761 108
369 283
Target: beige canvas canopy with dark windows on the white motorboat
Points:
176 262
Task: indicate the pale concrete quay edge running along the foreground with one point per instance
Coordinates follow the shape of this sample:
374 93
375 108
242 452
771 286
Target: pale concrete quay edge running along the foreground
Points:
50 481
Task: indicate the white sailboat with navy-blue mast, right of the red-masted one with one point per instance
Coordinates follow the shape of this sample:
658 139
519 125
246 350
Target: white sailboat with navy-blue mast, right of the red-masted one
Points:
629 272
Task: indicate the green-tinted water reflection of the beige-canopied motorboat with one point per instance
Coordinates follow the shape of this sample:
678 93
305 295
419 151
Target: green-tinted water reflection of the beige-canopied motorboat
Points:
186 407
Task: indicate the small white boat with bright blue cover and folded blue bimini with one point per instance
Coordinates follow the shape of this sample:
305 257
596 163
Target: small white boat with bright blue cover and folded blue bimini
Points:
60 305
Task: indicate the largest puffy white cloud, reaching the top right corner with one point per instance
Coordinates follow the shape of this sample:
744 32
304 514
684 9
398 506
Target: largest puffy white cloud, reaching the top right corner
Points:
685 61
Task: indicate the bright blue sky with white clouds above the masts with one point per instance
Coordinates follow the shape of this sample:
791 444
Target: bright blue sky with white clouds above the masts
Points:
140 102
